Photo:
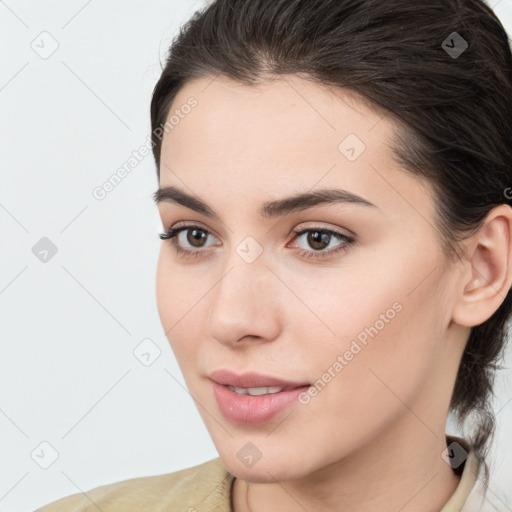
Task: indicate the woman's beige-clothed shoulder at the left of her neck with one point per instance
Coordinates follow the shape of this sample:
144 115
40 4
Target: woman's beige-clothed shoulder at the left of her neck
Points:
205 487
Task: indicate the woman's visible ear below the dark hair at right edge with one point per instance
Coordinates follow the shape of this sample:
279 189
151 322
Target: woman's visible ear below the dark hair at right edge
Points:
487 278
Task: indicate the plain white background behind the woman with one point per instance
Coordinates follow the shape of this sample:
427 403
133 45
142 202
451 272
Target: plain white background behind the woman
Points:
69 326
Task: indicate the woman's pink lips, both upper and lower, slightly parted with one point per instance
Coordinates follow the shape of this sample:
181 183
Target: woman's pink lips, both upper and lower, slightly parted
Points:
253 410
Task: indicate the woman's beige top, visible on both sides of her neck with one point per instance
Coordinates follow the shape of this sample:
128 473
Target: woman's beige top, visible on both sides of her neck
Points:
207 488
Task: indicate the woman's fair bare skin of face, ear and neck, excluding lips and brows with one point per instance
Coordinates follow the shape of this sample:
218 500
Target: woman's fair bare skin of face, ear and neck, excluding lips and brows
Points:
372 438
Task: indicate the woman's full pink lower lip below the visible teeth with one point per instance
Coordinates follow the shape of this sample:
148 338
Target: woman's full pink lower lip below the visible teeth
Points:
251 410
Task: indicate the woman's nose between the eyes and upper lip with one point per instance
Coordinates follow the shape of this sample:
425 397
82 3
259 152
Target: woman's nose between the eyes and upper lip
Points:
246 304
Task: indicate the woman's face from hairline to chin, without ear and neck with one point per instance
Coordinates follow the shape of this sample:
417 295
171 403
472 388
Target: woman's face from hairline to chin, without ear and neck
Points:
360 313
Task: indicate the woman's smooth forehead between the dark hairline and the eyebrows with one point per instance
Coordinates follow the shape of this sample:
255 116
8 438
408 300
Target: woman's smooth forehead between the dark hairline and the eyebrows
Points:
284 136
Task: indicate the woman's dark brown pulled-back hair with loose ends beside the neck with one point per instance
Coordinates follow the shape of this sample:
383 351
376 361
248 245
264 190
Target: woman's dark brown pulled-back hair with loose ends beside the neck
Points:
402 57
